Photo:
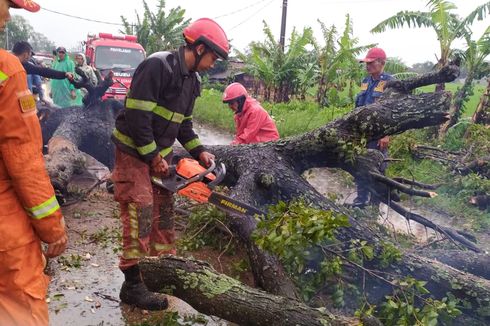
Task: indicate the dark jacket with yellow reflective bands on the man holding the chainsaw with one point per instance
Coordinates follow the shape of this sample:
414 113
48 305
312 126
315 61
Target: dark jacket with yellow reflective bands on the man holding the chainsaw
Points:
158 108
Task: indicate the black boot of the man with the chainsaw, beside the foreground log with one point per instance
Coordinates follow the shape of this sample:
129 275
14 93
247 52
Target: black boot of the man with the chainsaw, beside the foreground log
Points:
134 292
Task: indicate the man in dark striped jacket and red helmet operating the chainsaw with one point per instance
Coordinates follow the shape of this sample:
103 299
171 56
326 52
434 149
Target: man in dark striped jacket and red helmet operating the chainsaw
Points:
158 110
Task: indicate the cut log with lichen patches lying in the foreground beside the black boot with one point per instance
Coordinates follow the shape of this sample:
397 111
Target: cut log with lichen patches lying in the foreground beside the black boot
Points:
217 294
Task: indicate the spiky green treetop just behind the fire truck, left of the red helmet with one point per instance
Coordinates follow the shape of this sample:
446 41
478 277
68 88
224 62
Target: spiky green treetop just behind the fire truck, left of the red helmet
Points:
158 30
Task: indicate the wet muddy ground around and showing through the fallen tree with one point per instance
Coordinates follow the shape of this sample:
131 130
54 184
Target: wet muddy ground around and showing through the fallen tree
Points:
86 279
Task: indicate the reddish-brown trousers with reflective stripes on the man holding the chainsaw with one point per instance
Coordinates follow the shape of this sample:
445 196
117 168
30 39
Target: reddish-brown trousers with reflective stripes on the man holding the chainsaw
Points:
146 211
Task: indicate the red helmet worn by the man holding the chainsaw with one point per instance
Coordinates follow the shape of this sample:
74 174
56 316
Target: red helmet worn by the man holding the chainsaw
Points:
207 31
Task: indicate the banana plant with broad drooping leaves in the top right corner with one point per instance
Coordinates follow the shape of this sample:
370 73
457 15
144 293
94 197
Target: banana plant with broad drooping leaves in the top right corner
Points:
440 17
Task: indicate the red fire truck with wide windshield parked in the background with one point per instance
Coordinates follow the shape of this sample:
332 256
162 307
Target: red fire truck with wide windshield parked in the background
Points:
119 53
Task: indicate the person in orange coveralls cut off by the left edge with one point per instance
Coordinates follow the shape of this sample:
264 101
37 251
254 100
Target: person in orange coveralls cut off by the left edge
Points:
29 212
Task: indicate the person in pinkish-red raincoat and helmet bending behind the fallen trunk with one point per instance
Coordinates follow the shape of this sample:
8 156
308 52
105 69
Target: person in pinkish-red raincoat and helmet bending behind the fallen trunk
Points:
252 123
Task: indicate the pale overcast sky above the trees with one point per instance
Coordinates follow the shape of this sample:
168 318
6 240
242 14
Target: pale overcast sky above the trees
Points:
242 20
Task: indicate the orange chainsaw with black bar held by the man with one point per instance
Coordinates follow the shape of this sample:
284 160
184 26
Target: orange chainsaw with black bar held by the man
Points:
189 179
